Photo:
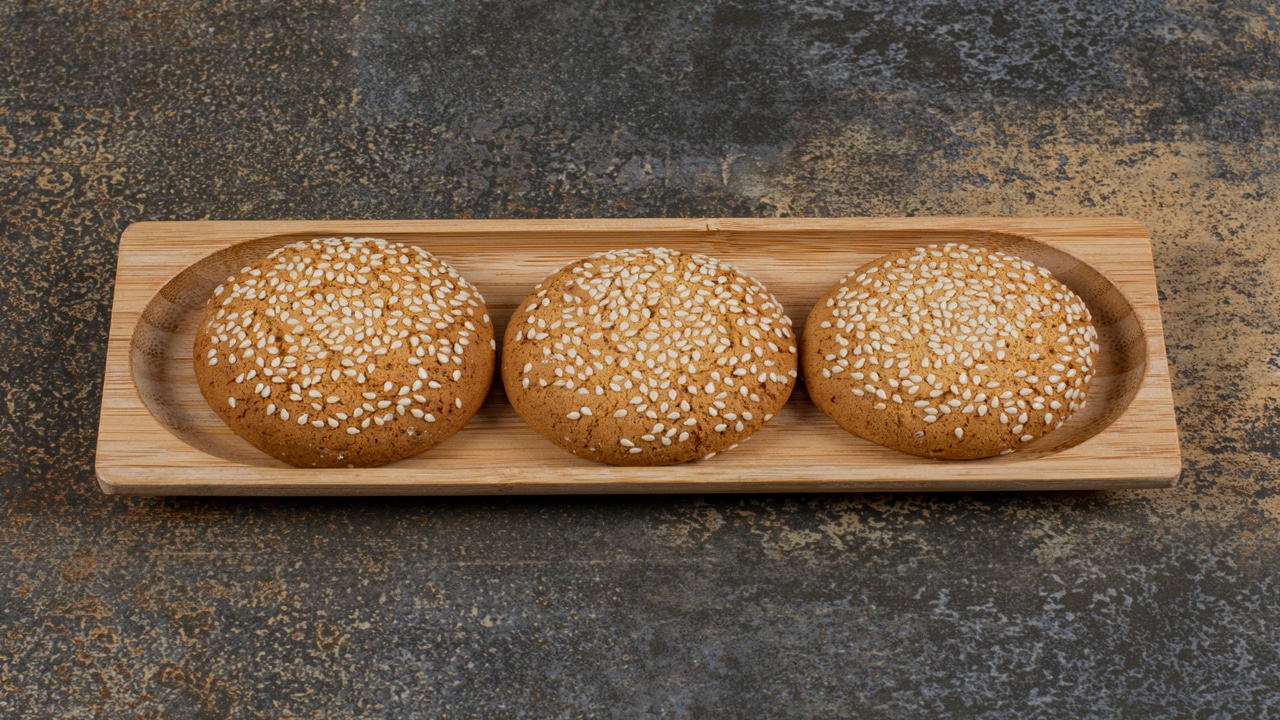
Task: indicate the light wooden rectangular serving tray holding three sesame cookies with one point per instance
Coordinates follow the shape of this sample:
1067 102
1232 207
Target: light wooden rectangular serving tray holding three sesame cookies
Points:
158 438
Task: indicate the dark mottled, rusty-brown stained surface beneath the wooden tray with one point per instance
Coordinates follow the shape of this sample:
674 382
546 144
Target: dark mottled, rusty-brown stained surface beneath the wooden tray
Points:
1075 605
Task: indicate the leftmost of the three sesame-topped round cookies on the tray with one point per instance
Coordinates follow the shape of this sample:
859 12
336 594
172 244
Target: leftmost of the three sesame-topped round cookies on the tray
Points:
345 353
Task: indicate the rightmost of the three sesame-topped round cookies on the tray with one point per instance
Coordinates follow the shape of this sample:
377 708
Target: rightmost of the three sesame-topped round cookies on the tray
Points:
950 352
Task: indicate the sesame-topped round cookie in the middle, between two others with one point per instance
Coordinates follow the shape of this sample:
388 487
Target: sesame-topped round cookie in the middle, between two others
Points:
648 358
